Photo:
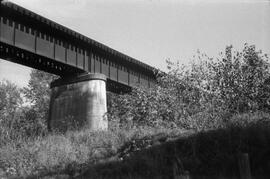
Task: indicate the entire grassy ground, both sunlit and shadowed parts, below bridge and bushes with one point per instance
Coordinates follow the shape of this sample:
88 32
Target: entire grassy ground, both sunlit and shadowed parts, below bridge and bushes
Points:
126 153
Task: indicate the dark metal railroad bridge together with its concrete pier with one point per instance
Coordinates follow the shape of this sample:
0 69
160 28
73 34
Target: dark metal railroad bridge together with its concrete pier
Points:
87 68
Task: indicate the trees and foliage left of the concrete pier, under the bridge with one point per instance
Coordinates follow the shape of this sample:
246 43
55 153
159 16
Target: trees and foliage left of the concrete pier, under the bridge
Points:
23 112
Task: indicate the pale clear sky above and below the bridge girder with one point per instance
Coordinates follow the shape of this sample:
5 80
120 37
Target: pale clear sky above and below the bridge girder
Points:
152 31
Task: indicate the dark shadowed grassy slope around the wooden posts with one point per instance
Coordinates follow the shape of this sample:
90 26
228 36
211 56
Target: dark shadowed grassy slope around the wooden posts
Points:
208 154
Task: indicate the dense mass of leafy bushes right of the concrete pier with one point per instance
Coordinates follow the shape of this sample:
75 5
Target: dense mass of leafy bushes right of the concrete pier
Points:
202 95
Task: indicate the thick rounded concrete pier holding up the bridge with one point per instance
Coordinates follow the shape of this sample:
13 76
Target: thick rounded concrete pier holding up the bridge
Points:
78 102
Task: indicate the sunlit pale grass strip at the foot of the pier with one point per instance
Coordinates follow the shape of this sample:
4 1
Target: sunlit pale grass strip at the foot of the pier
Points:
66 153
